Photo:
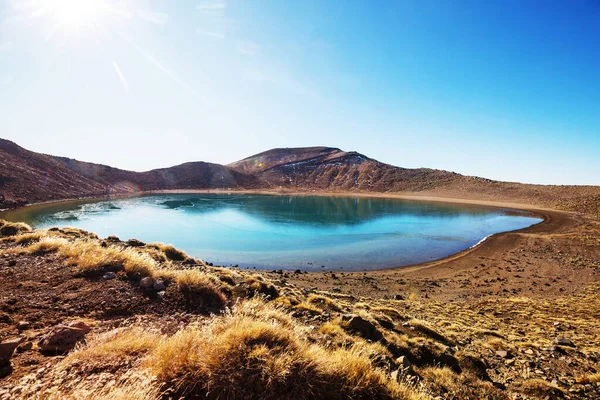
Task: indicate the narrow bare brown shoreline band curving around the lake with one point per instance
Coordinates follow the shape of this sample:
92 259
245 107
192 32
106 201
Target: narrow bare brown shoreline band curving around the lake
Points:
541 227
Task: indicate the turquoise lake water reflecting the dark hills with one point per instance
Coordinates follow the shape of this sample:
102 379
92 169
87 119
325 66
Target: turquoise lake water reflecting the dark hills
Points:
288 232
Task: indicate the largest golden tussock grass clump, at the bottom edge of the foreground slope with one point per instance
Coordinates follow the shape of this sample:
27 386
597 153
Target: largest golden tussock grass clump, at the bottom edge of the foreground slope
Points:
243 356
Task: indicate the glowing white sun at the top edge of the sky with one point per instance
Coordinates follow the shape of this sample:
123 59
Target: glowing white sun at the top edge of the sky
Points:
75 15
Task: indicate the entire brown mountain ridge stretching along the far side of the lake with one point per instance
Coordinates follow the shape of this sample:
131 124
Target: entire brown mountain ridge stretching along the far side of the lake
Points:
29 177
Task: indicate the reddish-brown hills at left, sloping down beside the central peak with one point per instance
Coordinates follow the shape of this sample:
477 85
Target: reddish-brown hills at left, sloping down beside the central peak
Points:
29 177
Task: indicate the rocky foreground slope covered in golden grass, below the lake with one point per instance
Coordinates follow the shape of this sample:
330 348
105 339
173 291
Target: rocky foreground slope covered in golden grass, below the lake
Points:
84 317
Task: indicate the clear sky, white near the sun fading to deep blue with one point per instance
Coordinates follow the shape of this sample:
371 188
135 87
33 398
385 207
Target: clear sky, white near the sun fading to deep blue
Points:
507 90
